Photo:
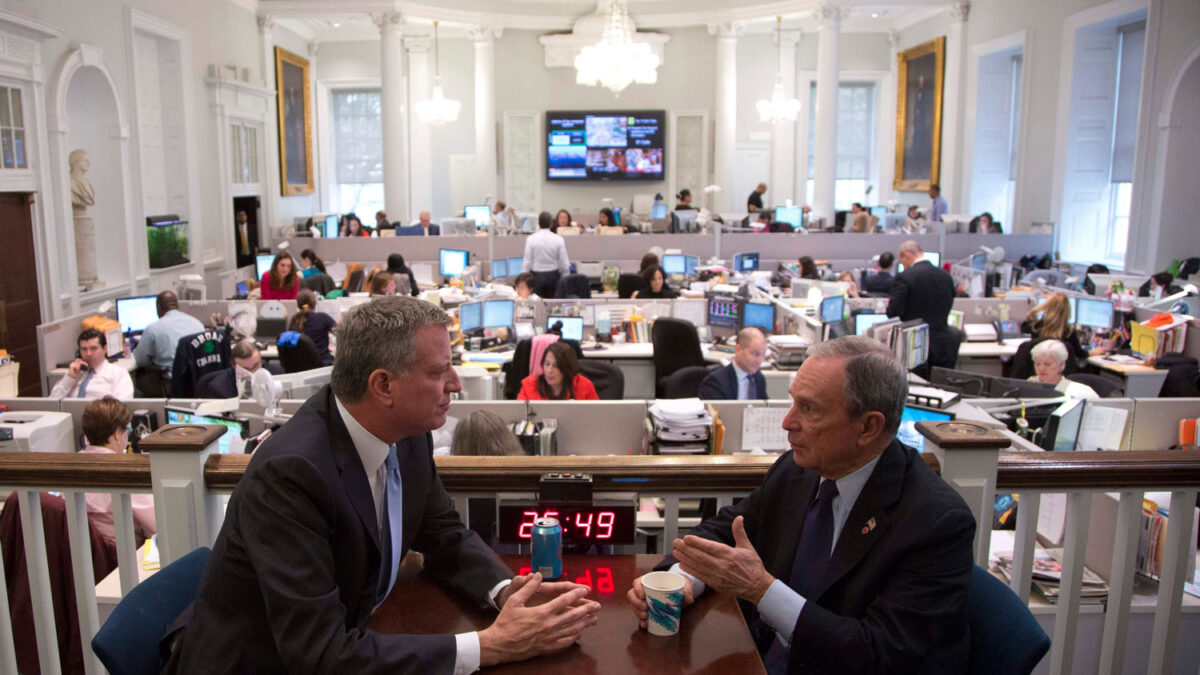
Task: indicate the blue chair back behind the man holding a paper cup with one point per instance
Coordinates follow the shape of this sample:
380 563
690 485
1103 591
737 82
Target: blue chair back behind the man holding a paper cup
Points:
1006 640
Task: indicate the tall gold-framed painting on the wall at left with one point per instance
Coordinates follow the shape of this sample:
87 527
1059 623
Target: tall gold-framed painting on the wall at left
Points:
295 104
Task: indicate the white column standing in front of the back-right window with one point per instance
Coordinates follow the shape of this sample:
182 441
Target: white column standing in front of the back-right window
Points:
826 152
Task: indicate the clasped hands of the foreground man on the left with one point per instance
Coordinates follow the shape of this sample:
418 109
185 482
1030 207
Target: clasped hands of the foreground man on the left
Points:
525 631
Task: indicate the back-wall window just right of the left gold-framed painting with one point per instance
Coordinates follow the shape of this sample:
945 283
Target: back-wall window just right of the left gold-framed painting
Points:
358 152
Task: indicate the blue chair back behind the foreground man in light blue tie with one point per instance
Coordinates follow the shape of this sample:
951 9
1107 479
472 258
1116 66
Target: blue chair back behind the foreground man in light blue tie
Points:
128 644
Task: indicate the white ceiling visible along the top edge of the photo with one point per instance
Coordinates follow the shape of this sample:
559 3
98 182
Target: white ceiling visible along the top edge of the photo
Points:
334 21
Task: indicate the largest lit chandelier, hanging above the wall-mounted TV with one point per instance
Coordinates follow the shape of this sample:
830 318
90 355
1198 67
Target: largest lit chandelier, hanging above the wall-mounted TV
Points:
617 62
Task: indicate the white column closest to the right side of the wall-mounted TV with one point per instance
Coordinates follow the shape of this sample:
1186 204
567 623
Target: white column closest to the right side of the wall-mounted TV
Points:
727 116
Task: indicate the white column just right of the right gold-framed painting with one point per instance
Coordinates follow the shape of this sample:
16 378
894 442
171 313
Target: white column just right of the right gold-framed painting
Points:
952 103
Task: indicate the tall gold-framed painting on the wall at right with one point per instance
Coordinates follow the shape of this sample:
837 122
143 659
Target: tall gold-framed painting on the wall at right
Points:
920 116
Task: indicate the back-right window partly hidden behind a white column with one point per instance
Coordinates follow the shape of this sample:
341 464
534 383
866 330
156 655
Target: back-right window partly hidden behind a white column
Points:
856 142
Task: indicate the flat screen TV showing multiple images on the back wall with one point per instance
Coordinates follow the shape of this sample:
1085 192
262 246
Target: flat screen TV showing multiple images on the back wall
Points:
605 145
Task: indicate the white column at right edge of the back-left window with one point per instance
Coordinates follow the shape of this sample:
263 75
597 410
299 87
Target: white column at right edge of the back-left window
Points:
394 117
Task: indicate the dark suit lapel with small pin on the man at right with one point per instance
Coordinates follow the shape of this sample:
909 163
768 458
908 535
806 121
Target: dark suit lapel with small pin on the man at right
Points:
857 537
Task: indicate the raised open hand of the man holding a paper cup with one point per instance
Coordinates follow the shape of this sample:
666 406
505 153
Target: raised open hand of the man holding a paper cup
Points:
739 570
